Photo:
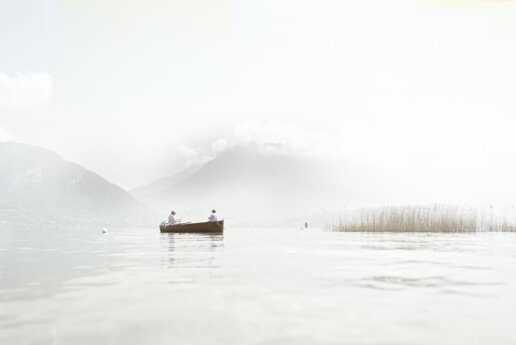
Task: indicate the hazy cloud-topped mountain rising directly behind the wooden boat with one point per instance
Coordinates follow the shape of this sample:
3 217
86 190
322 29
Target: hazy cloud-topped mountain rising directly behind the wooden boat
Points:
248 186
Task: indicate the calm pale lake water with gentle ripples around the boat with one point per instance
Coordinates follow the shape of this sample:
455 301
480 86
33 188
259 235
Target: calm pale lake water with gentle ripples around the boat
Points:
256 286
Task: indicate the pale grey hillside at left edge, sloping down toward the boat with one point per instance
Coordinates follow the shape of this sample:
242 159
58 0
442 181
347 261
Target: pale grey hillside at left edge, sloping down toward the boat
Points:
40 184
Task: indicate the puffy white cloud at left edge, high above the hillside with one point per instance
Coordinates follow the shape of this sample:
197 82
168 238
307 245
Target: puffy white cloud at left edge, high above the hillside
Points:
22 91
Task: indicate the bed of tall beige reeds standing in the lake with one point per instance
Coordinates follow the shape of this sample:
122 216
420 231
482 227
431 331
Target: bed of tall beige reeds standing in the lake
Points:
433 218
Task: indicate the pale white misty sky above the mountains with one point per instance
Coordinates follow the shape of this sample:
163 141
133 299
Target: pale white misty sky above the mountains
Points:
135 90
